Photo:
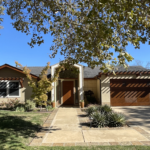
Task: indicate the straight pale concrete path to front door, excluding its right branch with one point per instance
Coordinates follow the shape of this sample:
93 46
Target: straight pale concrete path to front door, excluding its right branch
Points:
65 127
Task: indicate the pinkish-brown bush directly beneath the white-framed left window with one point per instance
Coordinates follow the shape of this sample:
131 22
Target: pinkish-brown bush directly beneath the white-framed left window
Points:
11 104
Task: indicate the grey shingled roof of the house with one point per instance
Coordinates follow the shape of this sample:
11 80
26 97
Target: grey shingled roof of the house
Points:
88 72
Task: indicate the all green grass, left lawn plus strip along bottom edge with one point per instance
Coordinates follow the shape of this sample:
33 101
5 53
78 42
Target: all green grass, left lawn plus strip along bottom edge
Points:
18 128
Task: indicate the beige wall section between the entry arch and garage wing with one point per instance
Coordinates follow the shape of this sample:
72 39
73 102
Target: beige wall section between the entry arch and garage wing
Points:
91 84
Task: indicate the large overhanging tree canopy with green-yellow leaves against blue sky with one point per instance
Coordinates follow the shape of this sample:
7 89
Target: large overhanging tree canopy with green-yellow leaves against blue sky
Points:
84 30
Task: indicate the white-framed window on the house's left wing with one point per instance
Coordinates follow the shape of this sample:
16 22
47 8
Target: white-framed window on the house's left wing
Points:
9 89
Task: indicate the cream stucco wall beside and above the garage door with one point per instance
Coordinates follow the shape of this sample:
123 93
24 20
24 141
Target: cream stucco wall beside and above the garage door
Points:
105 85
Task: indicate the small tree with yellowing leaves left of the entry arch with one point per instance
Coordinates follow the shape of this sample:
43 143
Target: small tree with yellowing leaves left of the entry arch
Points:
43 86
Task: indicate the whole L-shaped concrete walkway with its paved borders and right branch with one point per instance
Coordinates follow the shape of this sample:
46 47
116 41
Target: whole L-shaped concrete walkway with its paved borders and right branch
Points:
68 128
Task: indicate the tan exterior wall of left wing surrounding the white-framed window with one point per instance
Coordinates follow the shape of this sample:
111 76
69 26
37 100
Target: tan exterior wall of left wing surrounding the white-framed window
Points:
26 91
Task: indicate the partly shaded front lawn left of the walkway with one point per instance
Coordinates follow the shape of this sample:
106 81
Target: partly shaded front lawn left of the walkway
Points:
18 128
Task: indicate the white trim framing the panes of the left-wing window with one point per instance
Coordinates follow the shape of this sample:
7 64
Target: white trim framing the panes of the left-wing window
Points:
7 89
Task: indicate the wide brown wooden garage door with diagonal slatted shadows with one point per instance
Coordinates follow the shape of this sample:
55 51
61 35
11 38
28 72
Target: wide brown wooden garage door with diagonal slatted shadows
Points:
130 92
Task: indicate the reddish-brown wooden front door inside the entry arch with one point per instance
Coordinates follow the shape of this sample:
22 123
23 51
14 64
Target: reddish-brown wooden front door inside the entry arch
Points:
68 98
